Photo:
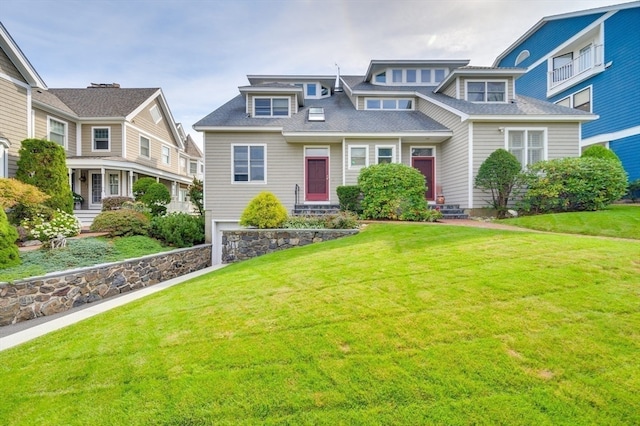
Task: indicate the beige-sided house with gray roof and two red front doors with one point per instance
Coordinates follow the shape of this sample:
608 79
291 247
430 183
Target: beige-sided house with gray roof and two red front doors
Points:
302 136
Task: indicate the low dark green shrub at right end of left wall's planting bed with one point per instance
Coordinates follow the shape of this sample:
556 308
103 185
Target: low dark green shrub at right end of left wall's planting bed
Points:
178 229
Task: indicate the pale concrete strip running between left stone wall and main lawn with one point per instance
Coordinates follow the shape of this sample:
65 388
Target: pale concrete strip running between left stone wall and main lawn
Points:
15 334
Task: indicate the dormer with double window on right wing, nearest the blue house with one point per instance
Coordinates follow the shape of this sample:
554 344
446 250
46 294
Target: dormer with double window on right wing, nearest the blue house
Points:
481 84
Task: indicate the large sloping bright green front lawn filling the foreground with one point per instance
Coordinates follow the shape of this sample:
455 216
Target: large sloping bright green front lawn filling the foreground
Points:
401 324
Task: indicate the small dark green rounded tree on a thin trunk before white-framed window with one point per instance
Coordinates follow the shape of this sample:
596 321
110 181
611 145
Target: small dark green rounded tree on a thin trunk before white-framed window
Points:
500 174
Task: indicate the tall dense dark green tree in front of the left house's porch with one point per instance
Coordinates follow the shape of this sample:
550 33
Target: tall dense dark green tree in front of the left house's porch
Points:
42 164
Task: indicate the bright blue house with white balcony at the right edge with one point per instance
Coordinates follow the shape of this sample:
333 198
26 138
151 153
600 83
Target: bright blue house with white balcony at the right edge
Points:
588 60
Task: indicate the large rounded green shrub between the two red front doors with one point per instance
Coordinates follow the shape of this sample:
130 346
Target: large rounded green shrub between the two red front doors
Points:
391 191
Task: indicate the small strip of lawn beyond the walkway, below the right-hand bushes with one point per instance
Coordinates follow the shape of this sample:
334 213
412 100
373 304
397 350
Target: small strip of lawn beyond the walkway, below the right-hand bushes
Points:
621 221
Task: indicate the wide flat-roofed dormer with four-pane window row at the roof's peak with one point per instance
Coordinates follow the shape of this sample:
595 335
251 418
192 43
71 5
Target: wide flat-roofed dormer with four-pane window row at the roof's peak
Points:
410 72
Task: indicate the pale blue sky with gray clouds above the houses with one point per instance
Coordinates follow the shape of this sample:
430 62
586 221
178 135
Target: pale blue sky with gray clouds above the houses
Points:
200 51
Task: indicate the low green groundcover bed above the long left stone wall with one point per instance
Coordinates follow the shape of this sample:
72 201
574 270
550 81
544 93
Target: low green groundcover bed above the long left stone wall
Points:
79 253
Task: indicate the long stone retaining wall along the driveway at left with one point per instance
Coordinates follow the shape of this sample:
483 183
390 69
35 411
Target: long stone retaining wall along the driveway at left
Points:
60 291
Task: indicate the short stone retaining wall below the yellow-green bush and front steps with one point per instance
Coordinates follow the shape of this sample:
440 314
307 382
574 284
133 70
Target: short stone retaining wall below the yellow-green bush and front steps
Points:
242 244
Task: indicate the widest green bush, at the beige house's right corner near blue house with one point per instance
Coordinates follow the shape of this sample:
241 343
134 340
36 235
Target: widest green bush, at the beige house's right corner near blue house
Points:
573 184
